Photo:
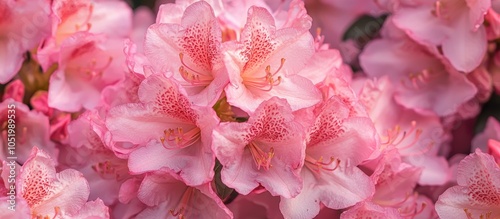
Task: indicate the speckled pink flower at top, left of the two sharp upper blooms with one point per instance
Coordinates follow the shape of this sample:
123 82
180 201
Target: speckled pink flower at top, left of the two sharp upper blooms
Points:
191 52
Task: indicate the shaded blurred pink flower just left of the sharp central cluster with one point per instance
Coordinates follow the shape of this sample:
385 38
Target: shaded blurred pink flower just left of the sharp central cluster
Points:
87 152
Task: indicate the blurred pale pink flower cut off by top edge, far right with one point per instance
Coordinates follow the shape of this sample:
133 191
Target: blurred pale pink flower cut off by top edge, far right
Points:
454 25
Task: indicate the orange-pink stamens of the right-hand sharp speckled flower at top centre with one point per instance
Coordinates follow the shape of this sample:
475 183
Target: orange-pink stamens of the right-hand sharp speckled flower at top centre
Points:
267 82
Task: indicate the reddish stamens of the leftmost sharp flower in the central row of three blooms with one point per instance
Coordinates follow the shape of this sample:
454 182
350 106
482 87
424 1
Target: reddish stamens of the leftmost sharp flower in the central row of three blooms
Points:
176 138
